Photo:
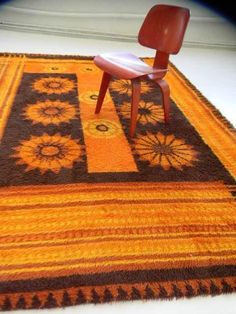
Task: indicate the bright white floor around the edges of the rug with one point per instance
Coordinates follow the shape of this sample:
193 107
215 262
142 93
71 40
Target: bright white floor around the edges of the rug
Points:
213 72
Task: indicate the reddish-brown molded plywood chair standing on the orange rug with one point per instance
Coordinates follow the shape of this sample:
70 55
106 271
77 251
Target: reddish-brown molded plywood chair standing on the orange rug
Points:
163 29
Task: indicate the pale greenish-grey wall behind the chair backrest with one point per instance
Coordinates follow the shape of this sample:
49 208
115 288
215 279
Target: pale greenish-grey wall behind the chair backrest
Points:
110 19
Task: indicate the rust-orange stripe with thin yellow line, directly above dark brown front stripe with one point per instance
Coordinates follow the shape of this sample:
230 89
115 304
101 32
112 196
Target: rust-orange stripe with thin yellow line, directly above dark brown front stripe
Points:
100 265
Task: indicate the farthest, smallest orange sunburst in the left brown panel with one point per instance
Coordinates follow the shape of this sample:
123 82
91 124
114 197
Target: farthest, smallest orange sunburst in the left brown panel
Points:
53 85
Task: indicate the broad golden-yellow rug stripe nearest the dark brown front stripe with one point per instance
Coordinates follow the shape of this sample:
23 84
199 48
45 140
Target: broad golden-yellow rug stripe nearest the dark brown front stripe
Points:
119 248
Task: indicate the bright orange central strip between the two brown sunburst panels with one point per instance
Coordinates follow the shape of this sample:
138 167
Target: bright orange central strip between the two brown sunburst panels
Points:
113 152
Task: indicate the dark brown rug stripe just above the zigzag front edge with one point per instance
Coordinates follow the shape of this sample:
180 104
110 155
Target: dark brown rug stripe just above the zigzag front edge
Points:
119 277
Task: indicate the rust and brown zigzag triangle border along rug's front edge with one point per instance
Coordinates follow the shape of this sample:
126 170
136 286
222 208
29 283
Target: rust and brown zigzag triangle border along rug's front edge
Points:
147 291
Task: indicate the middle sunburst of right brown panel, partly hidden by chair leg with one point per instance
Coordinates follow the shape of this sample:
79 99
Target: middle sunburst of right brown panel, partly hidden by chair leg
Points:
148 112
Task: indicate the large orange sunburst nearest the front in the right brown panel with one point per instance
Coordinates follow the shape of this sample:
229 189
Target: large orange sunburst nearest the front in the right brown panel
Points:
165 151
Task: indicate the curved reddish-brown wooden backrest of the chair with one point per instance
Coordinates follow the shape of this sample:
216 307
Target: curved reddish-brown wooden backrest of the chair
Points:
164 27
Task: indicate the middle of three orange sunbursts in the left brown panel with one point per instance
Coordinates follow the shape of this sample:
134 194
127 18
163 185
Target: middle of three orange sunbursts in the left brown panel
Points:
46 112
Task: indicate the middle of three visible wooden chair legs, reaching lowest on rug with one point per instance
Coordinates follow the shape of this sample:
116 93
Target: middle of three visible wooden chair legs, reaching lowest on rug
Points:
136 87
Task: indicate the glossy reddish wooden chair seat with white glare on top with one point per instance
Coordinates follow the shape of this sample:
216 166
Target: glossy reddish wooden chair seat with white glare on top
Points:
125 66
